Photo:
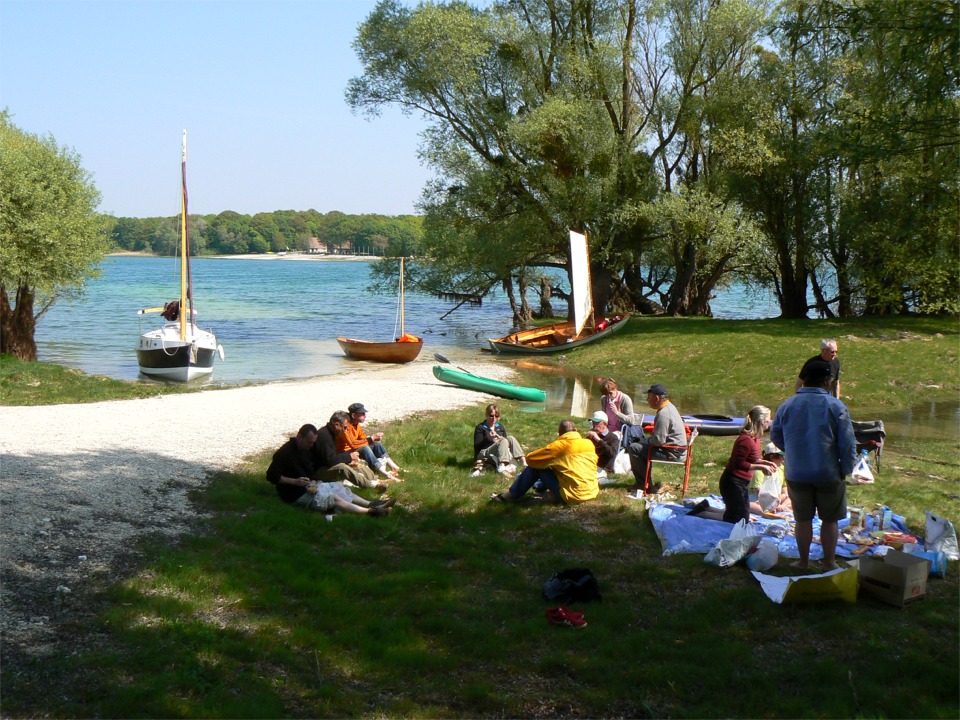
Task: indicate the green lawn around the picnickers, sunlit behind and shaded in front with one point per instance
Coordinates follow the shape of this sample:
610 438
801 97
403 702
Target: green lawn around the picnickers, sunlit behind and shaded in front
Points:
435 611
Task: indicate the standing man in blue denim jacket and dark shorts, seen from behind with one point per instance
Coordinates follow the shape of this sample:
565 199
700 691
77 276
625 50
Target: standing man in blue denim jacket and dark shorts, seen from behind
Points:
815 431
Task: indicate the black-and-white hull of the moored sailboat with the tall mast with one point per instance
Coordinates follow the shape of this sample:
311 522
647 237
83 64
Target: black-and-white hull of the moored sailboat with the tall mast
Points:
161 353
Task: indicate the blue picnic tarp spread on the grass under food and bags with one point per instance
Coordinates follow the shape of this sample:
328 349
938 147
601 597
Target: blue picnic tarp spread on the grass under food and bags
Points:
680 533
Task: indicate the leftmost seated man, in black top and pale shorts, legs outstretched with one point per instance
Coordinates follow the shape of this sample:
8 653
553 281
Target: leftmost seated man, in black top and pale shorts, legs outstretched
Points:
292 471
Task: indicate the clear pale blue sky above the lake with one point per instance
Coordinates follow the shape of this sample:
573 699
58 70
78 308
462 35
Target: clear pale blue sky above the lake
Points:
258 85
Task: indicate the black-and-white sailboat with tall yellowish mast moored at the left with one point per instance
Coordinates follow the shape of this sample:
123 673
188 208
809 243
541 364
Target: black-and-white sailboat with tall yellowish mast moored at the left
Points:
178 349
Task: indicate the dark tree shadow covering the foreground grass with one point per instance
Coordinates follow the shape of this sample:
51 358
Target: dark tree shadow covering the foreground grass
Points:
436 611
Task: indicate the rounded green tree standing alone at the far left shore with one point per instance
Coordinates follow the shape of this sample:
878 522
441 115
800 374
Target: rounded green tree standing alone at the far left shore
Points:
51 237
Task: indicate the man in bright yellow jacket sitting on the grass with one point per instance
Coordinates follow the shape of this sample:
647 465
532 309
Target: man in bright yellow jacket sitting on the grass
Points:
567 467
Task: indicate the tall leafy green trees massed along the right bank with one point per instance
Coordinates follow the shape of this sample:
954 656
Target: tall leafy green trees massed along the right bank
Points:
832 123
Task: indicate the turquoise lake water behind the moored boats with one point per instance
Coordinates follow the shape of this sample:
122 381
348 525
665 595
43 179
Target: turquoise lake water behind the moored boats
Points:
276 319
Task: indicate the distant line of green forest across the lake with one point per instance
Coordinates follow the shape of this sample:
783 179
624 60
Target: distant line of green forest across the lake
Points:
231 233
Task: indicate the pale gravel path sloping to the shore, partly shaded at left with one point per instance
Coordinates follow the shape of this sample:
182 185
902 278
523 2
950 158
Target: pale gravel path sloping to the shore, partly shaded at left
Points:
79 484
